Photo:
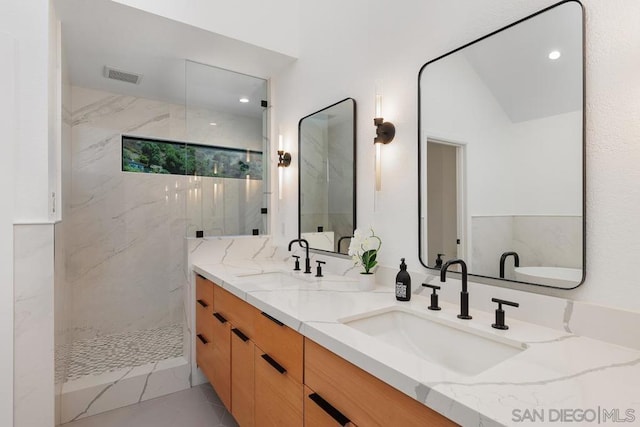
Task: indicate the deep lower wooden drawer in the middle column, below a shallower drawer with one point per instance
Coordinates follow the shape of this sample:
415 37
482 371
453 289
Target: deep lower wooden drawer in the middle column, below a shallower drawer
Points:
278 396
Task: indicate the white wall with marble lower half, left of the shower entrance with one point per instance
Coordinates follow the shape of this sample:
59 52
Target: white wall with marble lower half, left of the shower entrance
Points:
29 23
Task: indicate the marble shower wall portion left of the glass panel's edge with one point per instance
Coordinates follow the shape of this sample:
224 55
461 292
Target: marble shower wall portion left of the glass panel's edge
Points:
118 219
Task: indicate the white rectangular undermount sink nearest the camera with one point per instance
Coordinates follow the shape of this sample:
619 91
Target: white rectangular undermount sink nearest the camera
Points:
436 340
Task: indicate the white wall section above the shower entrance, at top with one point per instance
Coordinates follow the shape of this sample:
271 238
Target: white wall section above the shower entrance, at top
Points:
272 25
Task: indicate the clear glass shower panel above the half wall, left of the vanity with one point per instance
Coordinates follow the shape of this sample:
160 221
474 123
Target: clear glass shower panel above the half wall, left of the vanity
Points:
226 127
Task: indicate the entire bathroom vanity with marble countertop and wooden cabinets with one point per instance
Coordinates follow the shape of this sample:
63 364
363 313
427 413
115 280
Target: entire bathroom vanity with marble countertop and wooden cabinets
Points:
353 348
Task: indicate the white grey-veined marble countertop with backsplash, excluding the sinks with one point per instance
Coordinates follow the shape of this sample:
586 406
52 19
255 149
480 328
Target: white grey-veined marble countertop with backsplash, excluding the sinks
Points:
558 369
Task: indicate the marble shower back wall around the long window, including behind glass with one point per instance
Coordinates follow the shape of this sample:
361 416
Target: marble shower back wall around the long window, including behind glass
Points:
116 219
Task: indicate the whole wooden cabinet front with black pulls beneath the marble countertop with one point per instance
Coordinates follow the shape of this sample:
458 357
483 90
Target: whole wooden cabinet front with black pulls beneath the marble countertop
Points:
267 374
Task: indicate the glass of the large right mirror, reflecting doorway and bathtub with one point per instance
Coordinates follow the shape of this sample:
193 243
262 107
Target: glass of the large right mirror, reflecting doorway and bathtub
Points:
501 152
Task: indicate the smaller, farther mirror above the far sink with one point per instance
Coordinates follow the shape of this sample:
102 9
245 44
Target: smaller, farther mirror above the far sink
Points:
327 212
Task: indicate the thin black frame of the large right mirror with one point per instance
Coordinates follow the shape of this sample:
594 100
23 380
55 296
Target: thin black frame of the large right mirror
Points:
491 279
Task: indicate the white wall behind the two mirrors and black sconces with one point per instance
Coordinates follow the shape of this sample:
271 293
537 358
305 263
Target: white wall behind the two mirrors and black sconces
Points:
347 60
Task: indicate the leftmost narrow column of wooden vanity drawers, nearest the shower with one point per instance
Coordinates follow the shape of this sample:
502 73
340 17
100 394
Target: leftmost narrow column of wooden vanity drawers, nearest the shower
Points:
204 331
